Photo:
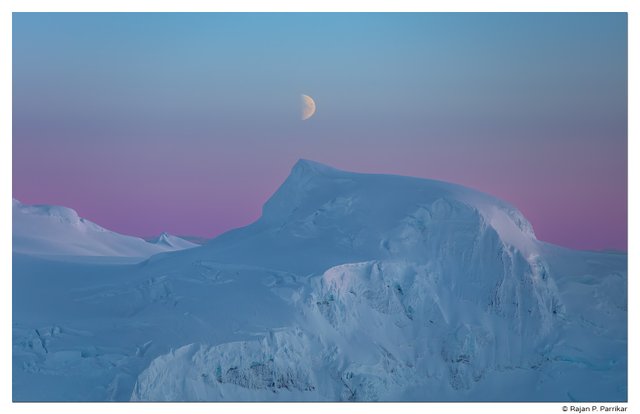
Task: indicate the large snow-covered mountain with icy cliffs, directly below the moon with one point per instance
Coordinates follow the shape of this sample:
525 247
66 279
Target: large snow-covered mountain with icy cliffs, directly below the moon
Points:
350 286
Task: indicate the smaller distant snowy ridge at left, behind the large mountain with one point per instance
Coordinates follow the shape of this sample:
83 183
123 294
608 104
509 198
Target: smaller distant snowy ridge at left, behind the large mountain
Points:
56 230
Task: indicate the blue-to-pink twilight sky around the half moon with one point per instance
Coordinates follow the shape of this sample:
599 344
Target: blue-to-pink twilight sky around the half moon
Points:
187 123
